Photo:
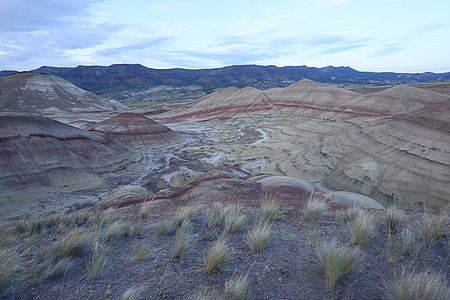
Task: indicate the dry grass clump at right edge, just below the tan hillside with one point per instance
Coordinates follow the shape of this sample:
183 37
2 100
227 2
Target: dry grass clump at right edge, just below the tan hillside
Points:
433 227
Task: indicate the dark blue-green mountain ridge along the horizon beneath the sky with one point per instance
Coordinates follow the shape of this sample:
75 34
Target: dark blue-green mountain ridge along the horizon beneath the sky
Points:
112 81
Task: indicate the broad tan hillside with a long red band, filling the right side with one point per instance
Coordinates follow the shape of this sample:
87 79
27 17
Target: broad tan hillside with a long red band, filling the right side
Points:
391 145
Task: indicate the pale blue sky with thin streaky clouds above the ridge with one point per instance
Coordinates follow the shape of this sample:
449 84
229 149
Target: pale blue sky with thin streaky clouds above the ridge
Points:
367 35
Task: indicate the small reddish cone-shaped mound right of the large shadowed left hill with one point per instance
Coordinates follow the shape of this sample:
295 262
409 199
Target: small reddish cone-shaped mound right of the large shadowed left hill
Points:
136 130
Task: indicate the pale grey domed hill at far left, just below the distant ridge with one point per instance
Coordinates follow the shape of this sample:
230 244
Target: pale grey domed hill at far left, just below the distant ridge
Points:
46 93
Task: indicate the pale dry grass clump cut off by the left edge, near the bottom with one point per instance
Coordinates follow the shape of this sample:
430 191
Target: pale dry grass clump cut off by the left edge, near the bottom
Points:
10 265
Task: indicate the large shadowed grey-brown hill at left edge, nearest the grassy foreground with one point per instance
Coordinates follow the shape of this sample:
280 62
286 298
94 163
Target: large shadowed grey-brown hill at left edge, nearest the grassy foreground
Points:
40 157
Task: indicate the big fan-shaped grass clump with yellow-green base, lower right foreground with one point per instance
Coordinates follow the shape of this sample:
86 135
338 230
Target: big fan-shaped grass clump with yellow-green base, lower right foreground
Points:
336 261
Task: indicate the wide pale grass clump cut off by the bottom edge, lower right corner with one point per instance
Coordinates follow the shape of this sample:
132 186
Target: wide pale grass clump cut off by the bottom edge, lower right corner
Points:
418 286
